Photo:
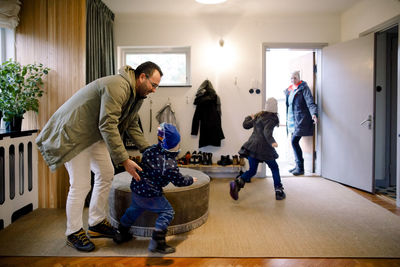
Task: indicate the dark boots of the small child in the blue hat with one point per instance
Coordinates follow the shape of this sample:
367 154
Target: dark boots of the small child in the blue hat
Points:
157 242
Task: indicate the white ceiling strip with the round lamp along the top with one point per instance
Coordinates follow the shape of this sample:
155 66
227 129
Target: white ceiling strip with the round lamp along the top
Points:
242 7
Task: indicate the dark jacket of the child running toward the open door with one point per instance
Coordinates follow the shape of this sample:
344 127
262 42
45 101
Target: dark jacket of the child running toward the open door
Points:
259 144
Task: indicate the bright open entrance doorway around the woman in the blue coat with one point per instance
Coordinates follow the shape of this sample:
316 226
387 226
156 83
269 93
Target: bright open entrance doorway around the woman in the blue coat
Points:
279 65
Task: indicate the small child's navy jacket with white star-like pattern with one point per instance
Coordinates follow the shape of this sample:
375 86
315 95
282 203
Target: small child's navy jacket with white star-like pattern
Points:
159 169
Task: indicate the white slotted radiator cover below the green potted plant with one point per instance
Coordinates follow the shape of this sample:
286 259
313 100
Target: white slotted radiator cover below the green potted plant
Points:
18 176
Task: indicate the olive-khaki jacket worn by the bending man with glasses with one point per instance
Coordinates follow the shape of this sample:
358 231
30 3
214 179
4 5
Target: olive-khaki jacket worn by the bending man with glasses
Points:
102 110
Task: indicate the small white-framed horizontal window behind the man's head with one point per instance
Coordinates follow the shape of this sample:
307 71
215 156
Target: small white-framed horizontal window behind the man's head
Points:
173 61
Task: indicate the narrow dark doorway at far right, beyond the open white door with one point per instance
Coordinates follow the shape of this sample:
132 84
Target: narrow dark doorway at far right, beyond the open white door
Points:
386 112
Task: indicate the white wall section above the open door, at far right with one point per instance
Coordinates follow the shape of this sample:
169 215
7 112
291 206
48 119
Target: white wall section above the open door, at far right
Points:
366 15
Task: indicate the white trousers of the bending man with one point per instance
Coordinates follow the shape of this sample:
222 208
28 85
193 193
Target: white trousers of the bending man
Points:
97 159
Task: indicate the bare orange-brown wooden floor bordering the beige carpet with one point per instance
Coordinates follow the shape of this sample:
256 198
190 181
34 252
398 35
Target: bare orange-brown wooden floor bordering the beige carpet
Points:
383 201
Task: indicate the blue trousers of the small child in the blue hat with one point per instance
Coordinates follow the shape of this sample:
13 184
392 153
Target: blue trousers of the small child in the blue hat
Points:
159 205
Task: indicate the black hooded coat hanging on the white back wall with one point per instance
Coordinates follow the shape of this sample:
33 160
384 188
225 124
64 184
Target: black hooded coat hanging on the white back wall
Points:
208 115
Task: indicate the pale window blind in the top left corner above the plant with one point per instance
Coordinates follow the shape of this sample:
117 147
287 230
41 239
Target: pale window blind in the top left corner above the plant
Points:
9 10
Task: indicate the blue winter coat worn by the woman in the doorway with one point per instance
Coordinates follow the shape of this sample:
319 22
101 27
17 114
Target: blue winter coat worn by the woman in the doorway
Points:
303 108
